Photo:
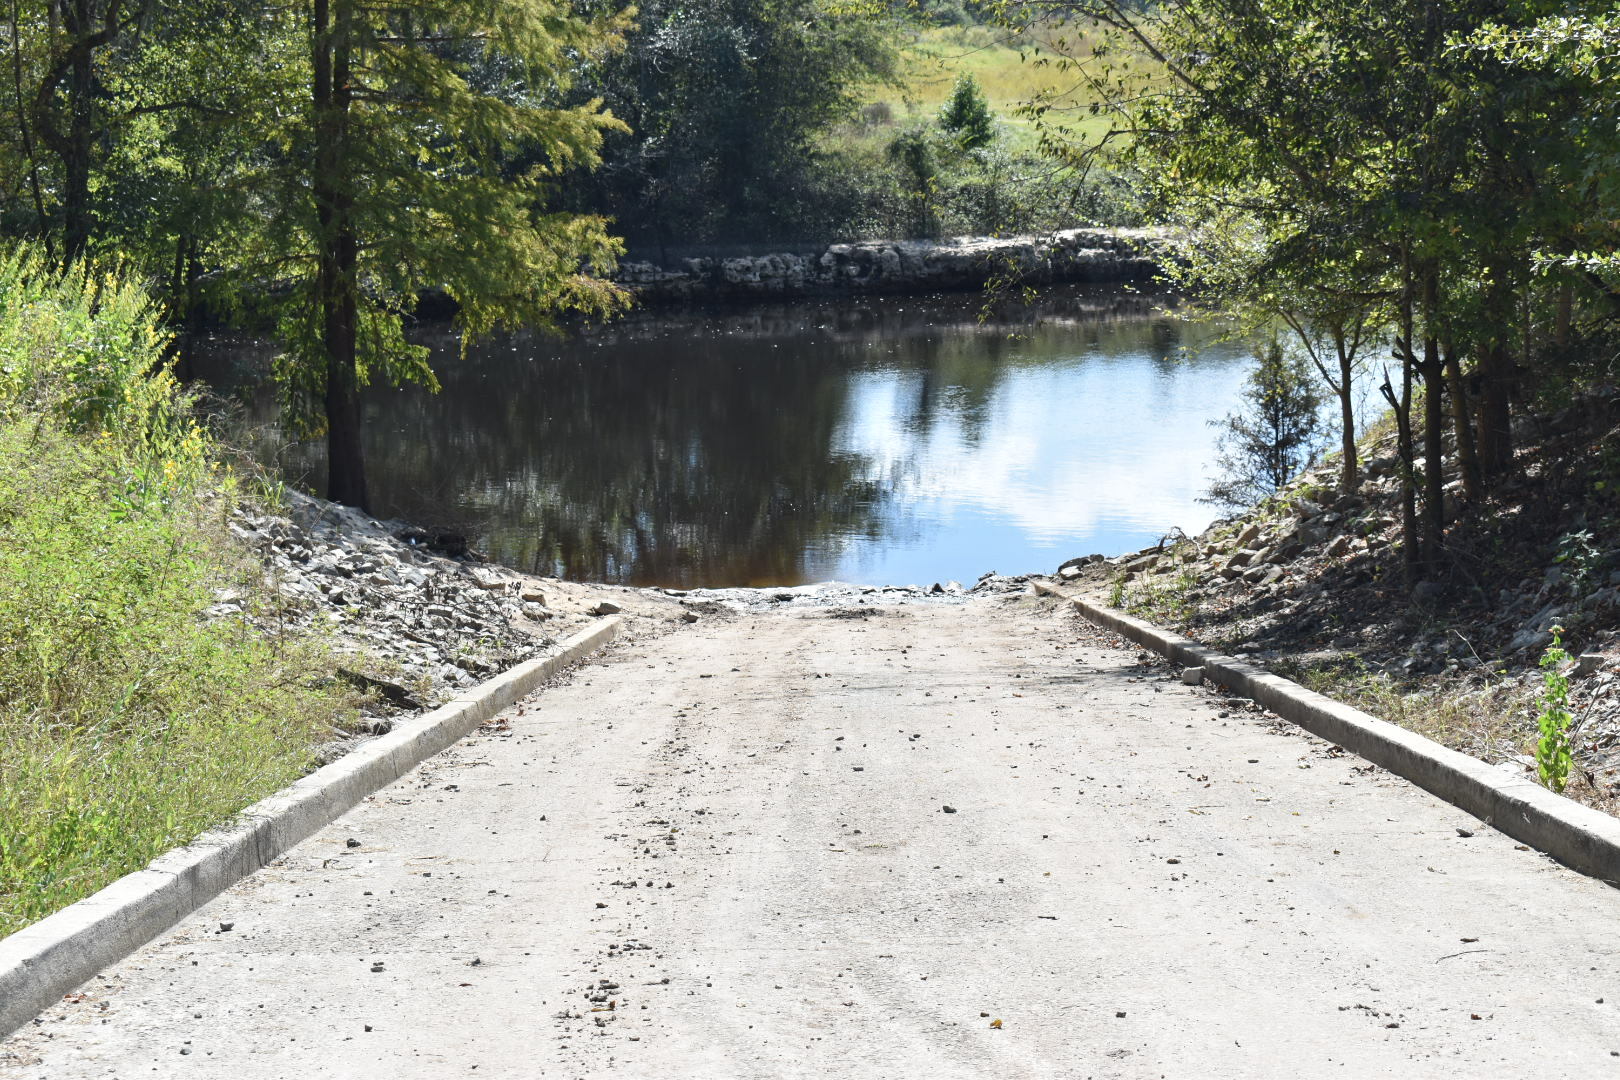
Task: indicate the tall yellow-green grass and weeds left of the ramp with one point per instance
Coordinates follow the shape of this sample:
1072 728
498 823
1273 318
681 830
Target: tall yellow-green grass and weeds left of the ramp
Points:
140 699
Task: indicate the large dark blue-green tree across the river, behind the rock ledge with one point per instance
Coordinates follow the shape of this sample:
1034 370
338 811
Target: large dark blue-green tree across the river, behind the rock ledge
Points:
728 103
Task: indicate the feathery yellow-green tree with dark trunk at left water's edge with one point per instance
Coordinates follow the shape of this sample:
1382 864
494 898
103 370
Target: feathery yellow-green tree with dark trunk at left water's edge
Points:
398 176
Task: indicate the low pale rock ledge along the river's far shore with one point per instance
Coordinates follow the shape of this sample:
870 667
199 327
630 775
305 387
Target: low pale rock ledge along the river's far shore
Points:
902 266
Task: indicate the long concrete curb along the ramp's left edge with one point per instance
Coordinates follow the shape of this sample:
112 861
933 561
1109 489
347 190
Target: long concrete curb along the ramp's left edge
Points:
43 963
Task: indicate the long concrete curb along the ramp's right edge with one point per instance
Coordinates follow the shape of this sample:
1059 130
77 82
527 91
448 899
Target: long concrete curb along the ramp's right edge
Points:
1577 836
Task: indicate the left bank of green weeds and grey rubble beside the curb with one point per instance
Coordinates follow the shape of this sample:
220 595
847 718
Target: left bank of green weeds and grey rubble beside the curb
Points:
181 637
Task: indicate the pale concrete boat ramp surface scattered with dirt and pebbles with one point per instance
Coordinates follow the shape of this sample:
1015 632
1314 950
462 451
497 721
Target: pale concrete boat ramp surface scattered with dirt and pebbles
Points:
727 853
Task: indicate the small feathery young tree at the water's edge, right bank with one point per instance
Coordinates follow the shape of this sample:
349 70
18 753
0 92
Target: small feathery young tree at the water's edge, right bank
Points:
1274 438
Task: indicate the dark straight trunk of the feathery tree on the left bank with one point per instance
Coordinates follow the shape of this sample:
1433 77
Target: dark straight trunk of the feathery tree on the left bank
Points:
339 257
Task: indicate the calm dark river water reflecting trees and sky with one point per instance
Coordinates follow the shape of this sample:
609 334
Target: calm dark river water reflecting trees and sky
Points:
884 441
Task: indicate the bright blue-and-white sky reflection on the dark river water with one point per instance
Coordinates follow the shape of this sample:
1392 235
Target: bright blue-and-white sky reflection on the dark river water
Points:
1083 453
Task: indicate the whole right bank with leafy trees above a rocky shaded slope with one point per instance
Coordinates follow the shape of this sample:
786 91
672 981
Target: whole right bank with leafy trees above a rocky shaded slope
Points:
1412 208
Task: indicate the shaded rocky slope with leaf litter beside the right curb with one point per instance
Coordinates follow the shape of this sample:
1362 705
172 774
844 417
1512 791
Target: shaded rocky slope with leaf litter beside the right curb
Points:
1311 585
